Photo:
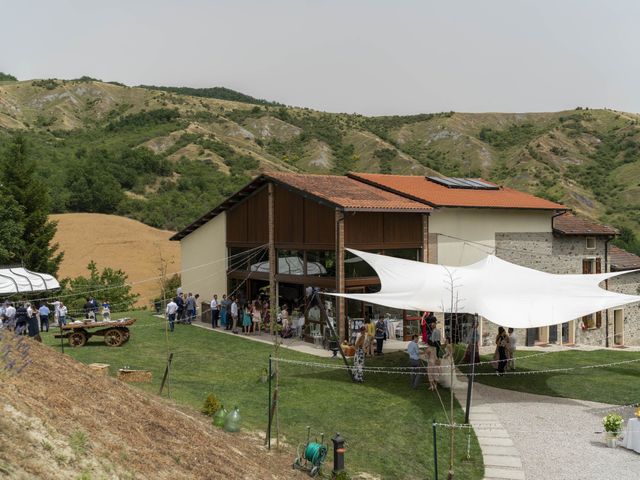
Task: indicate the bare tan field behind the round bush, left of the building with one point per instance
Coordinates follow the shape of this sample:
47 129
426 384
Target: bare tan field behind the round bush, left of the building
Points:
116 242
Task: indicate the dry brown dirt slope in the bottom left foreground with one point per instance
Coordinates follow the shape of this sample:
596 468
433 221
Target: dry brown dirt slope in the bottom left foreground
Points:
59 420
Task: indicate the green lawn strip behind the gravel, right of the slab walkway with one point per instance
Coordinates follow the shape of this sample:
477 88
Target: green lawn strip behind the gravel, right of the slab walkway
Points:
616 384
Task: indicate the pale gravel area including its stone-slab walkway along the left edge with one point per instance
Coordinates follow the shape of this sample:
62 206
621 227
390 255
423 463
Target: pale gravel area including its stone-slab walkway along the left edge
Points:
531 436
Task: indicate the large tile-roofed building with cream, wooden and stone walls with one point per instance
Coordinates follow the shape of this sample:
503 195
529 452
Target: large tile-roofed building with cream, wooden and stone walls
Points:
298 227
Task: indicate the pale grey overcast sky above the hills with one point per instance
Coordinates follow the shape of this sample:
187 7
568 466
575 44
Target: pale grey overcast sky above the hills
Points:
373 57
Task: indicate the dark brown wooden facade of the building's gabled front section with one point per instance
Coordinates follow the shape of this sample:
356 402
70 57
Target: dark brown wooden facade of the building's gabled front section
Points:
303 224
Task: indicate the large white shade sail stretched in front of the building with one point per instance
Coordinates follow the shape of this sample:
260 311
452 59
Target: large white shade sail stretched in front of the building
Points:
502 292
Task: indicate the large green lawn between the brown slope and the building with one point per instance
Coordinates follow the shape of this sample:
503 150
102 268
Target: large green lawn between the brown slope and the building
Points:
386 424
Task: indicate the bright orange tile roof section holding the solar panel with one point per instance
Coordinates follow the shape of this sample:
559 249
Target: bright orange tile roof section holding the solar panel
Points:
424 190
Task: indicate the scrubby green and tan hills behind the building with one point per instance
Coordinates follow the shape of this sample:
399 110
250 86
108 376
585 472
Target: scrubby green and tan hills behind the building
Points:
164 157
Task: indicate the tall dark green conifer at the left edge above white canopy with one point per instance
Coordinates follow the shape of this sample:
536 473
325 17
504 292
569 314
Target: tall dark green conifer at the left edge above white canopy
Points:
30 194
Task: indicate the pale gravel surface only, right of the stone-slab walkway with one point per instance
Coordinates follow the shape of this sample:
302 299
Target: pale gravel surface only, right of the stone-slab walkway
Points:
556 439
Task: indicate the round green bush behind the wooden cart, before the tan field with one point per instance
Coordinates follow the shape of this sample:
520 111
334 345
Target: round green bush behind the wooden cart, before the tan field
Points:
110 284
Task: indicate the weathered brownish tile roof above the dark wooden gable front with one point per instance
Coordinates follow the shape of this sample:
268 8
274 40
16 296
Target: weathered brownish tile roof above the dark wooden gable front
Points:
347 193
